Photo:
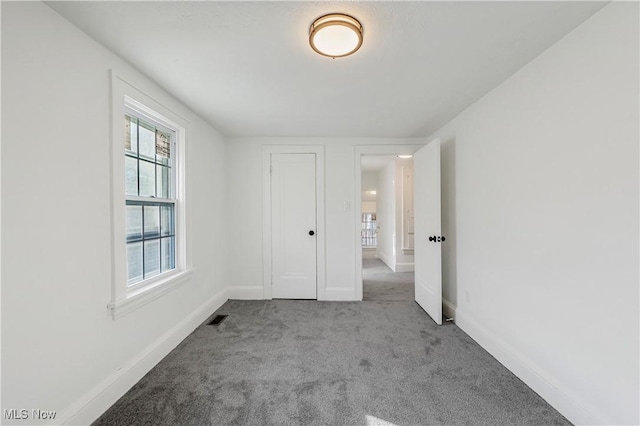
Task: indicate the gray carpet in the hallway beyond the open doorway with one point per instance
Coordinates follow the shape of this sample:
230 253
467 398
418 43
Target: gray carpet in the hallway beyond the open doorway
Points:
380 283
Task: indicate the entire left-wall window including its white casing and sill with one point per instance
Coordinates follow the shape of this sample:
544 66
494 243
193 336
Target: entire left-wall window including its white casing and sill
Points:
150 244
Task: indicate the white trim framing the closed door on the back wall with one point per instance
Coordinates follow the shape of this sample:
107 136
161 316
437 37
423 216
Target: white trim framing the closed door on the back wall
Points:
267 150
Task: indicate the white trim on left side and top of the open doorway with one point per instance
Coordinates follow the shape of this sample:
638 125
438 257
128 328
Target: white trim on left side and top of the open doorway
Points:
359 151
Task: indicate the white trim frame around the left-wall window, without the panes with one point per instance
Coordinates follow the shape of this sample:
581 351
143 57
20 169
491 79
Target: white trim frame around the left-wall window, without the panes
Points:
126 98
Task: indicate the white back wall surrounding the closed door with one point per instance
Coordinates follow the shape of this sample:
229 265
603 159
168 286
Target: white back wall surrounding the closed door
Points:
244 165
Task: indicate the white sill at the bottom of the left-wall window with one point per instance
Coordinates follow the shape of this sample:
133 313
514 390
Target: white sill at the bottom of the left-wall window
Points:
135 298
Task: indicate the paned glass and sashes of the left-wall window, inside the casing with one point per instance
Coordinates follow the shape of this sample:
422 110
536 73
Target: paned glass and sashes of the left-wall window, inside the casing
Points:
150 199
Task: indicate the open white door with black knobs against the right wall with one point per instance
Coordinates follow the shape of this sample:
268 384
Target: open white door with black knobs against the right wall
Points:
428 253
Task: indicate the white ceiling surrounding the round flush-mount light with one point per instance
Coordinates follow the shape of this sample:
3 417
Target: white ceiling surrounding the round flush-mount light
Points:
247 68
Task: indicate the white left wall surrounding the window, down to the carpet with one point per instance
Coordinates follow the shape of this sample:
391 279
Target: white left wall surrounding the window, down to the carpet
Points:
60 346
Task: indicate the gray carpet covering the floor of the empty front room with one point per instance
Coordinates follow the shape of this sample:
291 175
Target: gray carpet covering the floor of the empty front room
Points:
286 362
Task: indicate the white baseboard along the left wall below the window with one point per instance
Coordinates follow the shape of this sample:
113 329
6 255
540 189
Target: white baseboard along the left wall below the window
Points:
91 406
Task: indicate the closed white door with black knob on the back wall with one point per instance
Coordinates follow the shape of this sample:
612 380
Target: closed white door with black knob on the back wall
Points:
293 216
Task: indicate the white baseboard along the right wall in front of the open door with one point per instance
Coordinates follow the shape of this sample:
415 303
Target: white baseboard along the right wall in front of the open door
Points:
556 394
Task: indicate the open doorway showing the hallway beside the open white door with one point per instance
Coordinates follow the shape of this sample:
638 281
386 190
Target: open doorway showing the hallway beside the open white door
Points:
382 266
